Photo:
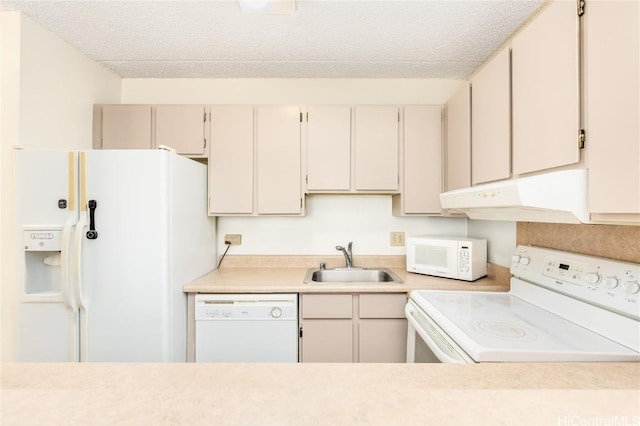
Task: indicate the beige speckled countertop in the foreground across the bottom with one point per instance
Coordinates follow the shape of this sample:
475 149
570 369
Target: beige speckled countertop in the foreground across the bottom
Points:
320 394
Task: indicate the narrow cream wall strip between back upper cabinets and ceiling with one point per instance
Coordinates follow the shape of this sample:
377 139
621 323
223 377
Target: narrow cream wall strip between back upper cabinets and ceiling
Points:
288 91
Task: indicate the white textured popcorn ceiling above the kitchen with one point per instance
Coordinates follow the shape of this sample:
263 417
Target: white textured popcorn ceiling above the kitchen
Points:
322 39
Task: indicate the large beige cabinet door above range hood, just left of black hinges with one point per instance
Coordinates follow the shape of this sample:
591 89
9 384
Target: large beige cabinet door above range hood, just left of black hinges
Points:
546 90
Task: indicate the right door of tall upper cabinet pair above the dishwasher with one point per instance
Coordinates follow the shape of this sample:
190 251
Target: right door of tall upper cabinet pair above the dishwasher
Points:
278 140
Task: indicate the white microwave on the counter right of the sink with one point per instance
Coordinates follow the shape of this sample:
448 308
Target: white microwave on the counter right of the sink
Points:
459 258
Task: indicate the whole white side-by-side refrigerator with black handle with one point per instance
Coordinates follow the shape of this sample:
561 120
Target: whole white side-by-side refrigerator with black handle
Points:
107 239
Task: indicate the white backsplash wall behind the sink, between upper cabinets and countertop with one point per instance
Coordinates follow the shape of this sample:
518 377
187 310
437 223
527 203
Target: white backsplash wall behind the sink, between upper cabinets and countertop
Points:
332 220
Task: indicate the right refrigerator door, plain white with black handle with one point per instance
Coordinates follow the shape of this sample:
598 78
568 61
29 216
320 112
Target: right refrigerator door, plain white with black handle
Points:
124 269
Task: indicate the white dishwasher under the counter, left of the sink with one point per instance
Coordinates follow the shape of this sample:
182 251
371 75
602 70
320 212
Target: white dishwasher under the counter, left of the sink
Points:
246 328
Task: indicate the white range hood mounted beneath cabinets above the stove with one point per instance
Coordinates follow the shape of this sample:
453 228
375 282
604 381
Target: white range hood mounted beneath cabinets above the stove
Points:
556 197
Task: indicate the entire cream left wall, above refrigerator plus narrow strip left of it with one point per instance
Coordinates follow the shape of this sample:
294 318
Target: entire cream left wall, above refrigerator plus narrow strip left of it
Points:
47 89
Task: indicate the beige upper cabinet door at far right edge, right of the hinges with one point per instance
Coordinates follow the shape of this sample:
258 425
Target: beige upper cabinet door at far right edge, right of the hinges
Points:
613 106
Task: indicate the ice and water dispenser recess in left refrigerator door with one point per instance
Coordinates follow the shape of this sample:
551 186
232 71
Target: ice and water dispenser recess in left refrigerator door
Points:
42 255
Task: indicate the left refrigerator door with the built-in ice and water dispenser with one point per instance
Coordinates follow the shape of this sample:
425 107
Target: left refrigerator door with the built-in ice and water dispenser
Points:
47 316
